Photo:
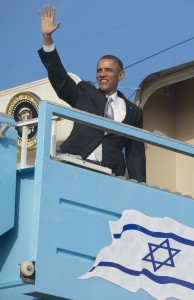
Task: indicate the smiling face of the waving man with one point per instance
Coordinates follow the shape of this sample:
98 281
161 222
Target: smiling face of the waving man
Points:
108 75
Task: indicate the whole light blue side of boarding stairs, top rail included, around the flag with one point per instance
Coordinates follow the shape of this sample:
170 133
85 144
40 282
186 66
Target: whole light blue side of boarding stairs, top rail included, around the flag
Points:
62 218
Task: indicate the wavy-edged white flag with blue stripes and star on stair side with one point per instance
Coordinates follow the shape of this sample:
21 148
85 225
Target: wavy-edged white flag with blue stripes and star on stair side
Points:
155 254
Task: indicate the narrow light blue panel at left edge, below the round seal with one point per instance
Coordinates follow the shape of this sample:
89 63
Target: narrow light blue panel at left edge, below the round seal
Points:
8 160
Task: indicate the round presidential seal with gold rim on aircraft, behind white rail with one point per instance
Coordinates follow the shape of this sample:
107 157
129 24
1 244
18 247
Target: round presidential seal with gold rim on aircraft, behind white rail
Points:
24 106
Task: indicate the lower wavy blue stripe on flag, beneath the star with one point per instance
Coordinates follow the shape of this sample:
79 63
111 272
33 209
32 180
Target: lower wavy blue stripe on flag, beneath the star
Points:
158 279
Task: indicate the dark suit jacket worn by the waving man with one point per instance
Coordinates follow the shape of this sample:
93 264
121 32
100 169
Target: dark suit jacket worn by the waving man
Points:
83 140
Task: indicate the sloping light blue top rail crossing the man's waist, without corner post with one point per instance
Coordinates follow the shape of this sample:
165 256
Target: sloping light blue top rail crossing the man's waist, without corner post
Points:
122 129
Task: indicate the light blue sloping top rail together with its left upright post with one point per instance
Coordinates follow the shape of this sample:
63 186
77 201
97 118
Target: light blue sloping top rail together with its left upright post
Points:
47 110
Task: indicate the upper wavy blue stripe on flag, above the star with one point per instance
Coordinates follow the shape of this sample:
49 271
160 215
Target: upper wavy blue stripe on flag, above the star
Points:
154 234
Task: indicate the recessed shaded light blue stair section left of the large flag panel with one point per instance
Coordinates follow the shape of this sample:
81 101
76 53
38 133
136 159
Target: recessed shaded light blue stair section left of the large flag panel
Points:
15 245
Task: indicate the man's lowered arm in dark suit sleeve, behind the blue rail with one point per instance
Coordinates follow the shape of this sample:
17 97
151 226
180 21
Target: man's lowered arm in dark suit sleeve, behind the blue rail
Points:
135 154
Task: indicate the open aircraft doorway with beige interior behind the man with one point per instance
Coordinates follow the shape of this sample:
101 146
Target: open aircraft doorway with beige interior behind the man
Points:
167 100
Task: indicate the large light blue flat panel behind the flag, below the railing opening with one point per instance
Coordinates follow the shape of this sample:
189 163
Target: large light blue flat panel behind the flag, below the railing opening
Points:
74 214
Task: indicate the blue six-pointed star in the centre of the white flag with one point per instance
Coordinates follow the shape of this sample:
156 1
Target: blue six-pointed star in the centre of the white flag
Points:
166 259
